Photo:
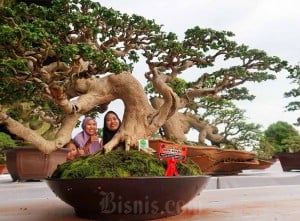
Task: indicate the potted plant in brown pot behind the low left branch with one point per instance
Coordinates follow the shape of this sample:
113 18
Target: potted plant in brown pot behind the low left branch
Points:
24 161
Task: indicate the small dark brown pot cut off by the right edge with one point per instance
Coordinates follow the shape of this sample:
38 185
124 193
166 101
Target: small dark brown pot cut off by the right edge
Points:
289 161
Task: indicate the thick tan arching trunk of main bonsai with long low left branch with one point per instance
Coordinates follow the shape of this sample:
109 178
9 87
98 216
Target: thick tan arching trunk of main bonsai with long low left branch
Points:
140 120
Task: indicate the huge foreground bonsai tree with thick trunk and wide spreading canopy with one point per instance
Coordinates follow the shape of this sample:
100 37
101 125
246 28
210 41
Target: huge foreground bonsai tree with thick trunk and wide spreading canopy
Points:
75 57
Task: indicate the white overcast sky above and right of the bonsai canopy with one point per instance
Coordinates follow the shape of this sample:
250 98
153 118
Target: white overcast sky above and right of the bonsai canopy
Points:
269 25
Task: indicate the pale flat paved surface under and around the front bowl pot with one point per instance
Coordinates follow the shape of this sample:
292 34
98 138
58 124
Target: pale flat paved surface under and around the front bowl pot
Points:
276 200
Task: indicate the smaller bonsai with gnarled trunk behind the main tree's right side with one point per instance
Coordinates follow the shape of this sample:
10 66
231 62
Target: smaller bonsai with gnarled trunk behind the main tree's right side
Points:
219 122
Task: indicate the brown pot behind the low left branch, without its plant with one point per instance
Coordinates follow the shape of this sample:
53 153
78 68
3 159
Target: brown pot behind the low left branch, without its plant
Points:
29 163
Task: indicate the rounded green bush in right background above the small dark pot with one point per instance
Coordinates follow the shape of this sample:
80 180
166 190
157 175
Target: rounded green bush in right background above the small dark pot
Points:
280 134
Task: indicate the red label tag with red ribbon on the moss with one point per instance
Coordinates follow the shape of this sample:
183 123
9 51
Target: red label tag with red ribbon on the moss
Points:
172 154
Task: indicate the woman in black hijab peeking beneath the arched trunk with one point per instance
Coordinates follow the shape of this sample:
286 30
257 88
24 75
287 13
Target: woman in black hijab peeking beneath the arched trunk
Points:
111 125
